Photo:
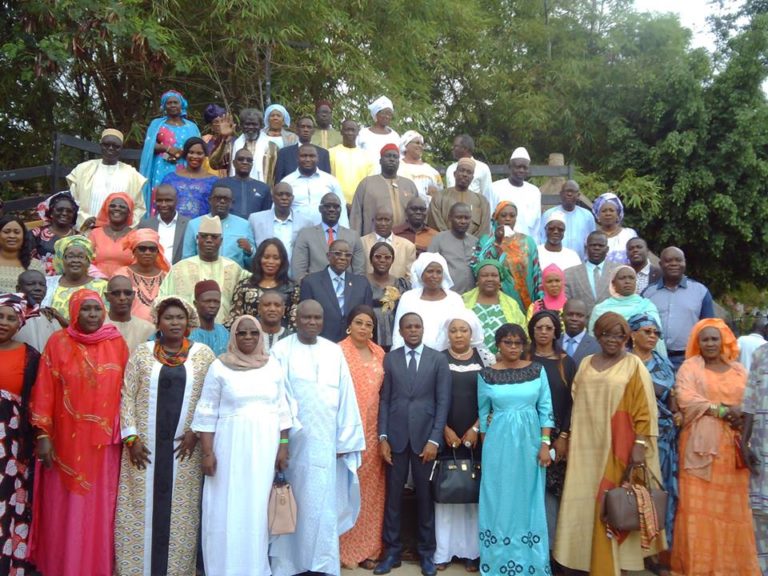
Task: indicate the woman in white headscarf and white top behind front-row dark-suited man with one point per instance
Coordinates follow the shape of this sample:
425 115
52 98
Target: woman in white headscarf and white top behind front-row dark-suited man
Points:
431 298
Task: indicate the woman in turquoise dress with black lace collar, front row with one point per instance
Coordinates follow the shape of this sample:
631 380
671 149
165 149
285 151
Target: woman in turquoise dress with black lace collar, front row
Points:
516 444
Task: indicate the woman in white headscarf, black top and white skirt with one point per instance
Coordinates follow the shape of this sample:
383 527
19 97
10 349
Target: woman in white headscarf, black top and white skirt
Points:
456 525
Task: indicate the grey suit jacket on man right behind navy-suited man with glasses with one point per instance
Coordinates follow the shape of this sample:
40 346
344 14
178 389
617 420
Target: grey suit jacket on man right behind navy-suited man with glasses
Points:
310 252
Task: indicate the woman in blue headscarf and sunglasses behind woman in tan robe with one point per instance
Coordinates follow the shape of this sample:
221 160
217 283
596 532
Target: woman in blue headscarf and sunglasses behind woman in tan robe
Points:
646 332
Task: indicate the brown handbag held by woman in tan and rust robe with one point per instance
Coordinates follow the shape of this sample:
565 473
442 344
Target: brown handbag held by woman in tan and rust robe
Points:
620 510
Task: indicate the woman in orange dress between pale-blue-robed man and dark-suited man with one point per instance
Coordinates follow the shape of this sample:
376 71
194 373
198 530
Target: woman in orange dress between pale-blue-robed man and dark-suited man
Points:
362 544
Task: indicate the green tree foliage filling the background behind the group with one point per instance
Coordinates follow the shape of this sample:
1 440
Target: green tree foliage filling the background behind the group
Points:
676 131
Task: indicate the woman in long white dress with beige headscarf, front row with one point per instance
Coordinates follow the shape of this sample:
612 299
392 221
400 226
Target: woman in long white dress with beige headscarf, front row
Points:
243 418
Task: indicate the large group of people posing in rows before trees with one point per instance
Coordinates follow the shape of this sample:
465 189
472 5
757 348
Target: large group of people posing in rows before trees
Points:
323 305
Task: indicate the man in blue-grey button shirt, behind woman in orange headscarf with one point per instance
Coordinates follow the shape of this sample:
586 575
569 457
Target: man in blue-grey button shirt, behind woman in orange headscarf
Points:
681 302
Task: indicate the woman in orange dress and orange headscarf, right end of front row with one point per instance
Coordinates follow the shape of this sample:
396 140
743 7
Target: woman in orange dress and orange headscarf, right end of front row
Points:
713 526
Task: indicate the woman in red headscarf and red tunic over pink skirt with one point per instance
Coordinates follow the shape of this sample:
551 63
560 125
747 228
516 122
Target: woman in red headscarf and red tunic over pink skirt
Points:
76 410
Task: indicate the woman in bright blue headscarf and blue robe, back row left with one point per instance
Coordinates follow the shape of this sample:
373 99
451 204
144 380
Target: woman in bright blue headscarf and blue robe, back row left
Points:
164 142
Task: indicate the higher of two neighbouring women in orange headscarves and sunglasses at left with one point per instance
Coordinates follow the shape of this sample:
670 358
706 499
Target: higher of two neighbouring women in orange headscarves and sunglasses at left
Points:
113 224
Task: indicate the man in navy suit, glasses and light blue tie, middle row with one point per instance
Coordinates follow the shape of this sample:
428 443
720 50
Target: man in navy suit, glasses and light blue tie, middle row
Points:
337 289
